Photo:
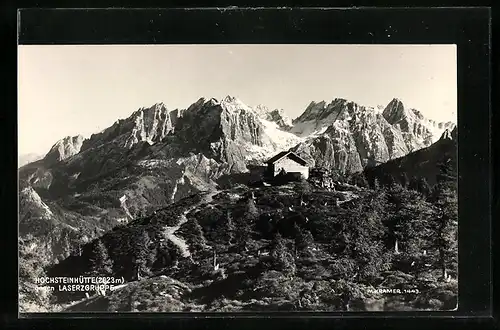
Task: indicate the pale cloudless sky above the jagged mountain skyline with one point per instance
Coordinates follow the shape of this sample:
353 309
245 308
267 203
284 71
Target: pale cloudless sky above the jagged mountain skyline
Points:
66 90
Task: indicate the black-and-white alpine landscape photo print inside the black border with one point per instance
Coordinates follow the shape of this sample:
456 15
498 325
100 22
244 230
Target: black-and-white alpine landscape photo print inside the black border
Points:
237 178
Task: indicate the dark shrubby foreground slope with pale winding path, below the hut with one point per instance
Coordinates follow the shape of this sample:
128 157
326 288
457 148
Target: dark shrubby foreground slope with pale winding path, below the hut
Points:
272 248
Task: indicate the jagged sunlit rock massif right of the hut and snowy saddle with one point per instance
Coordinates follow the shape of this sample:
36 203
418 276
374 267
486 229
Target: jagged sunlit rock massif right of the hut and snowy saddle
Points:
349 137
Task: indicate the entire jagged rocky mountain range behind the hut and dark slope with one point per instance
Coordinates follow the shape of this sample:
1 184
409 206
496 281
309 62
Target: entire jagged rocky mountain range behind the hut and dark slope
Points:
157 156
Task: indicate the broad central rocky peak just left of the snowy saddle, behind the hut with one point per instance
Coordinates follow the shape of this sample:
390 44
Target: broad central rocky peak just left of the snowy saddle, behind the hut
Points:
231 132
